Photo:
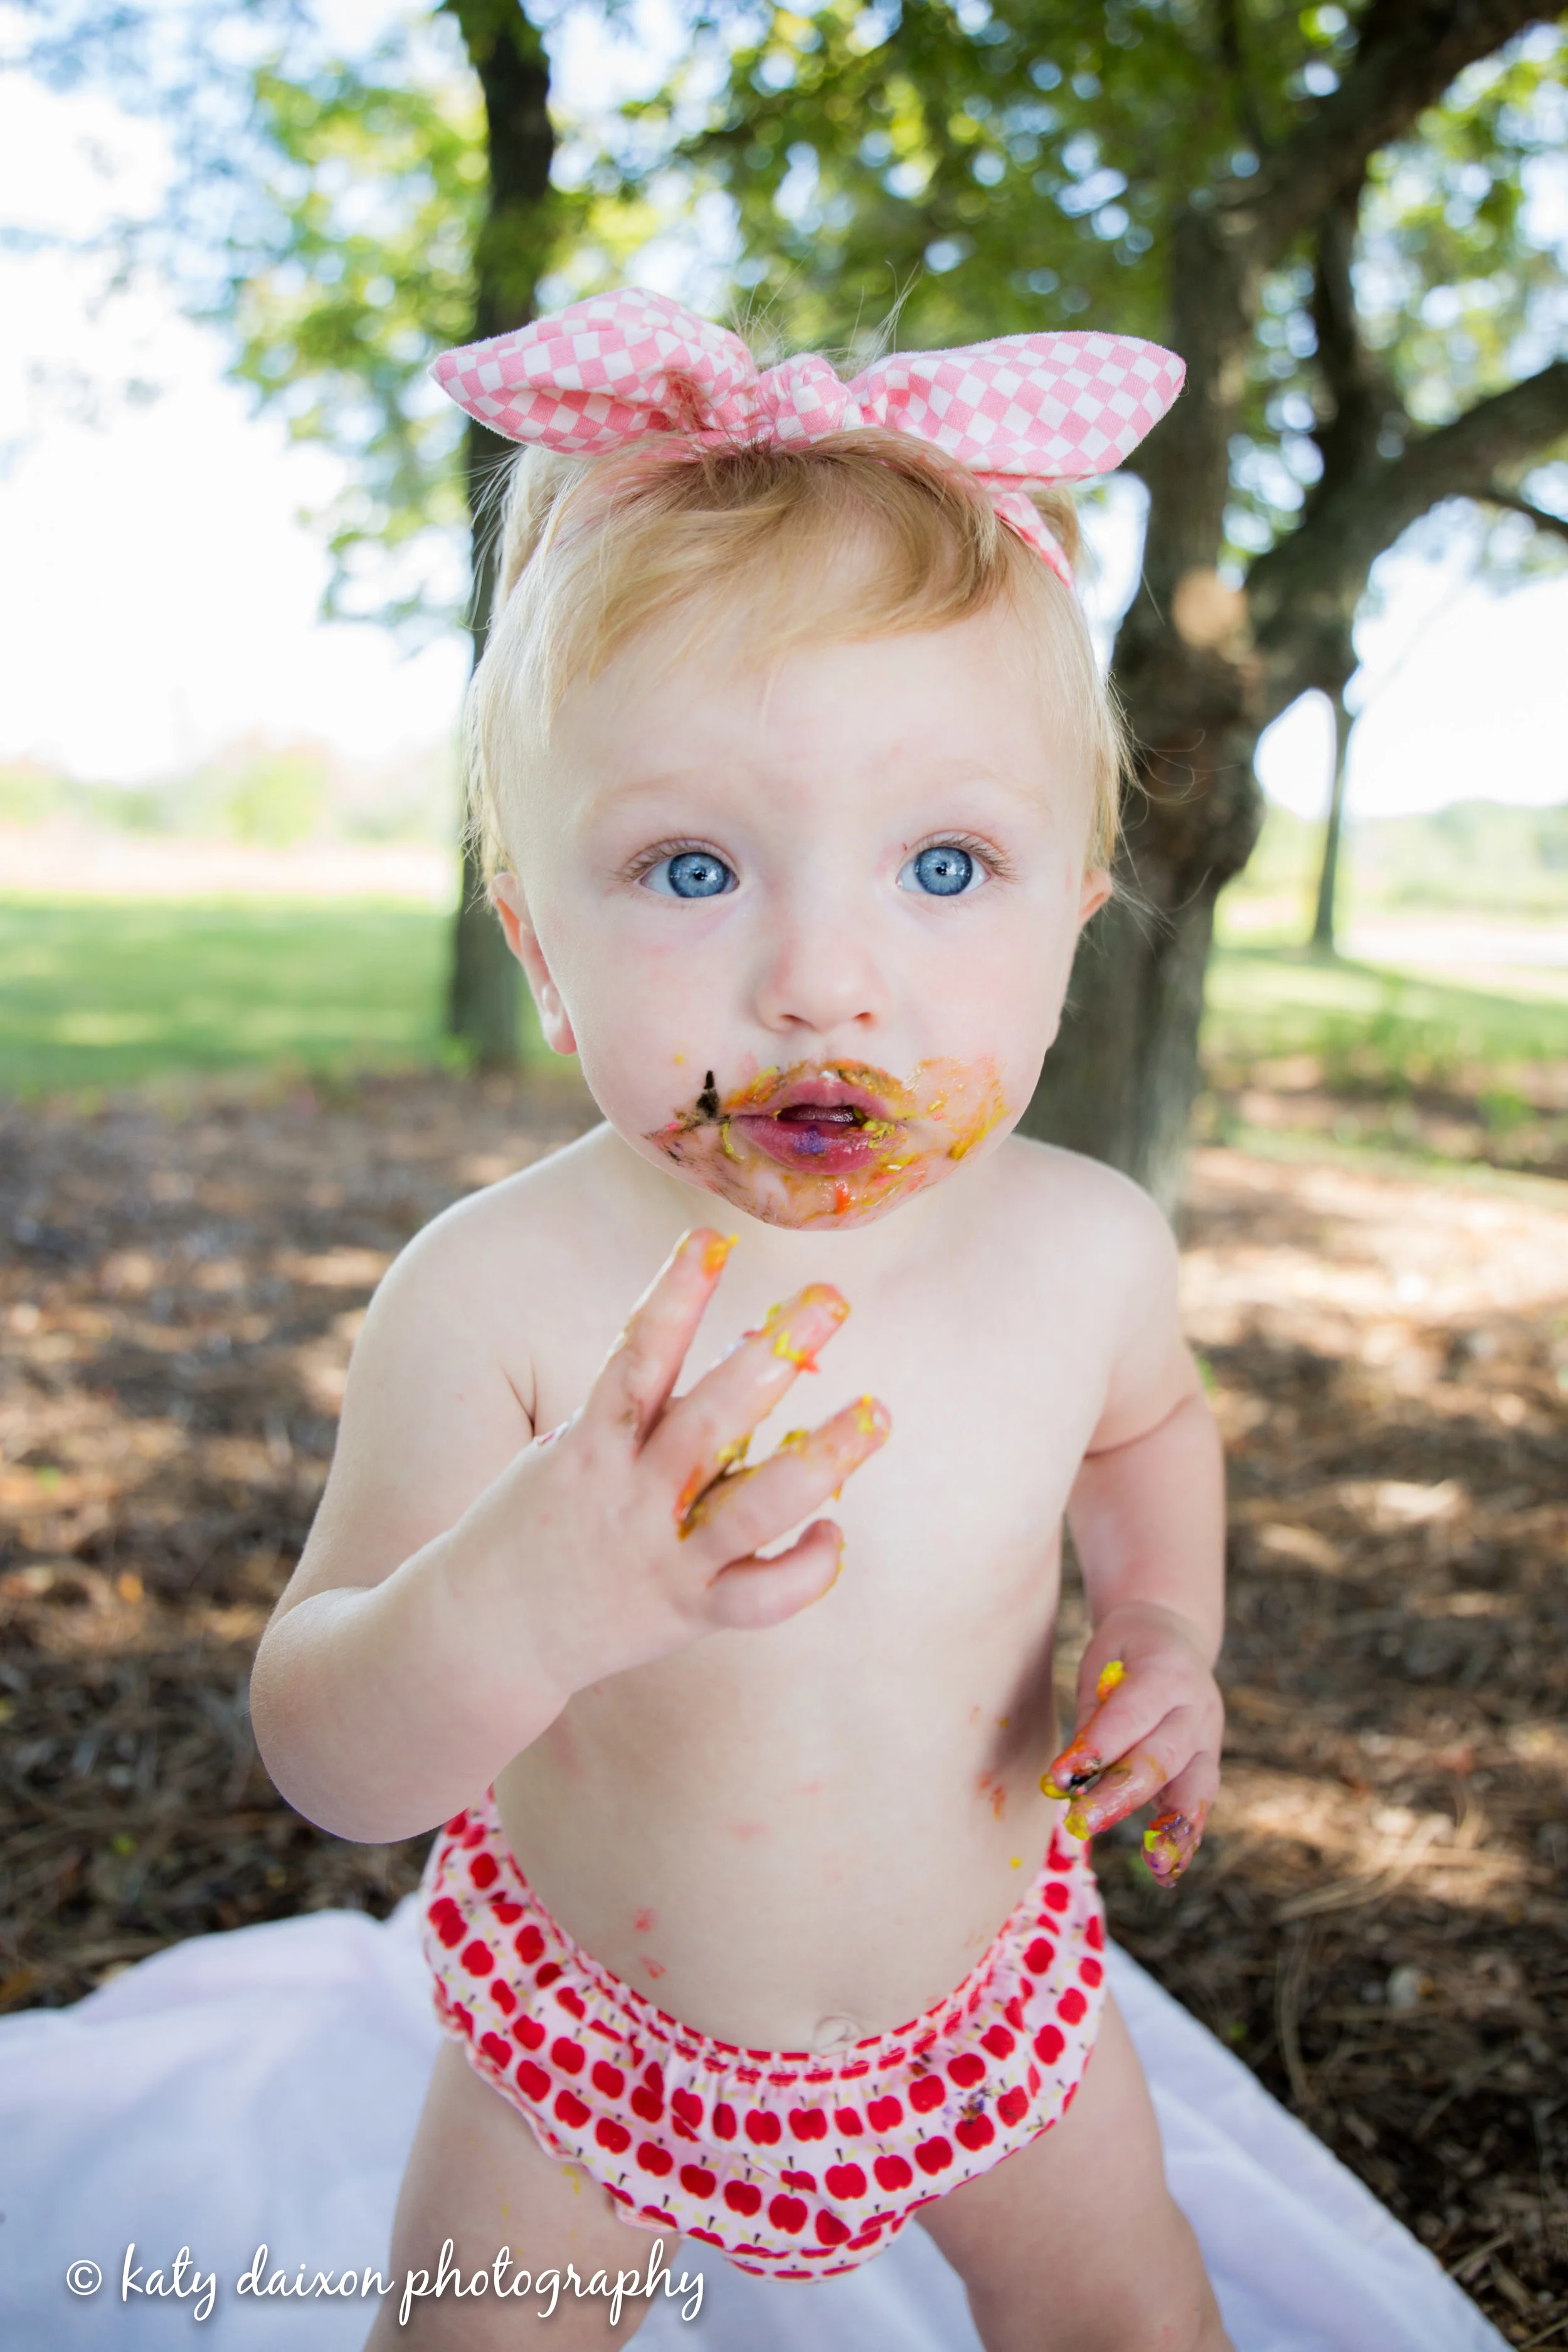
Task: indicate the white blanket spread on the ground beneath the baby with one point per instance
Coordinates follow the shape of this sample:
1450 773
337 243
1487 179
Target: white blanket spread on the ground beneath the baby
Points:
260 2090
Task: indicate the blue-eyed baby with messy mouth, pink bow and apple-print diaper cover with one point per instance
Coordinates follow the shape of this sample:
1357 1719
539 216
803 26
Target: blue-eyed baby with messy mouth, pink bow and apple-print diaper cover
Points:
763 1909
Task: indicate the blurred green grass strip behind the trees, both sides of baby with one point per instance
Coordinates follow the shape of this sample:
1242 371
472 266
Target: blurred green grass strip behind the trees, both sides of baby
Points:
107 994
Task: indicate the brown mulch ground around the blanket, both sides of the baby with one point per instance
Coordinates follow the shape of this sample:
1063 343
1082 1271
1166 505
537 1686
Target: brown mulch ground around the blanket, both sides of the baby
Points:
1376 1920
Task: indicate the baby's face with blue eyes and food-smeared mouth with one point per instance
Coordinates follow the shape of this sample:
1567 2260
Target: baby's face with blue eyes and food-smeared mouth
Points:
810 935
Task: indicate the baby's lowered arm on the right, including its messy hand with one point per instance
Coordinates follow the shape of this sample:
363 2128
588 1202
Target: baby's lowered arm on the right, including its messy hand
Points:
1148 1525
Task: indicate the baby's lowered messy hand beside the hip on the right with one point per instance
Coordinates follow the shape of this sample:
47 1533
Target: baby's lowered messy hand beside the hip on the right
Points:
1151 1723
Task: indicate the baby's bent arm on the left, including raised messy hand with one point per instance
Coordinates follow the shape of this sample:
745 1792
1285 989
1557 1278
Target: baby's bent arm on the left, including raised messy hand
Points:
464 1579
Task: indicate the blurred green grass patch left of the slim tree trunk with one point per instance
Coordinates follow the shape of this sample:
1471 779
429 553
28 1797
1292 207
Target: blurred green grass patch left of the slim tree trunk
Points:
107 994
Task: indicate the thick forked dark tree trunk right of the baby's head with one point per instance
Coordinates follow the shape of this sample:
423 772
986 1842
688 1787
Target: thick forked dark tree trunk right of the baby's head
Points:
1205 669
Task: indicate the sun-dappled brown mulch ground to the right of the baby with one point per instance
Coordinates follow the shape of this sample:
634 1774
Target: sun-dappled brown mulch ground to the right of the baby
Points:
1379 1920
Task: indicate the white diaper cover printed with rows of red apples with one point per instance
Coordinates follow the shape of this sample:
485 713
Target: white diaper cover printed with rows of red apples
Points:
791 2163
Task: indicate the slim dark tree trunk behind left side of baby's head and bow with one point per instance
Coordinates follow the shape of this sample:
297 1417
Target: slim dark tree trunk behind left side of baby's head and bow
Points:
507 53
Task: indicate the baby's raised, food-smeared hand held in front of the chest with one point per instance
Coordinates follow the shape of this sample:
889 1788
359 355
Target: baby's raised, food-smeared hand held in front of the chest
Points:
643 1518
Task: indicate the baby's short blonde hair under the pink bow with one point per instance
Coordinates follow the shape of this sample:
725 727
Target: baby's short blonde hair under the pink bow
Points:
683 537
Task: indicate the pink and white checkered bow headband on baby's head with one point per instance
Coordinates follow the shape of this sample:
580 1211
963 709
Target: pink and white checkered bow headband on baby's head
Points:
1024 408
